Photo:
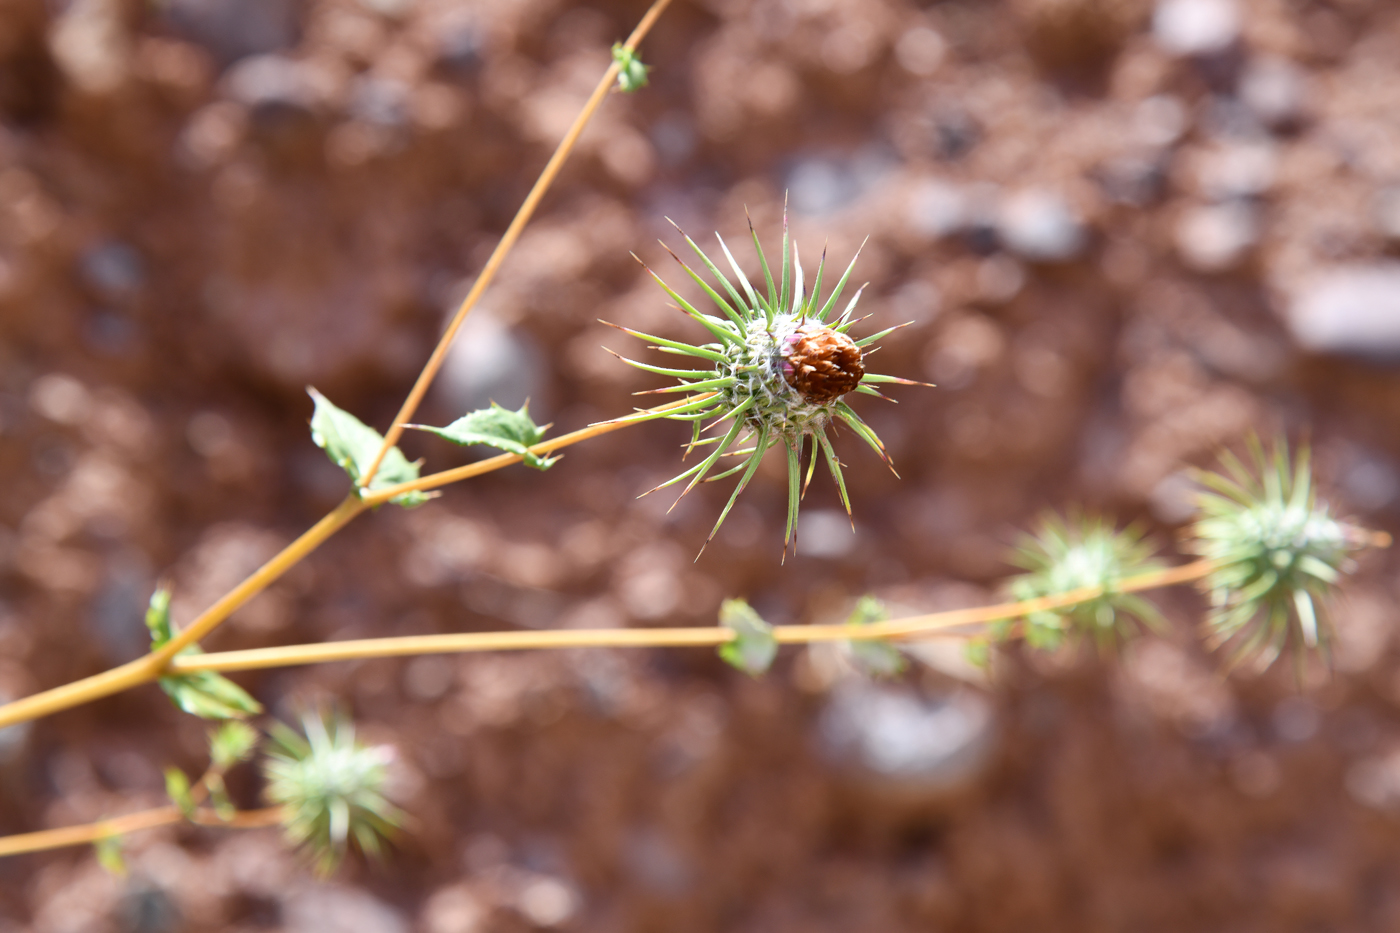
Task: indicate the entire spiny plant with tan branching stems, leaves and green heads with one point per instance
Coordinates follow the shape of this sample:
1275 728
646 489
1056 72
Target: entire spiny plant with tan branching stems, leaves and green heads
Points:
776 372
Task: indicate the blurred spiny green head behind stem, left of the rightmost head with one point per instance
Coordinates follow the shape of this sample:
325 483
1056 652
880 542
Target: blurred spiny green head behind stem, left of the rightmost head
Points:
1066 555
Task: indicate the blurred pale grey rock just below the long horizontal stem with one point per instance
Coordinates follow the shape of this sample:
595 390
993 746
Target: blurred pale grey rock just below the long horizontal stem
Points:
892 733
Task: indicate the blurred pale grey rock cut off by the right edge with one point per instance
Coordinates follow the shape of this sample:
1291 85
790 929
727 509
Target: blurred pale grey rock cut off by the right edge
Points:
1350 310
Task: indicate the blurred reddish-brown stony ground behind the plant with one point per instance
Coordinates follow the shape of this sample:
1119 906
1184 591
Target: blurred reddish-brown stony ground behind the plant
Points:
1126 233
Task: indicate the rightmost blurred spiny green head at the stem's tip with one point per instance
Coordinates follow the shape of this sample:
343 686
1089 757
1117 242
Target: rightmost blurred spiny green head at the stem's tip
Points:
1277 550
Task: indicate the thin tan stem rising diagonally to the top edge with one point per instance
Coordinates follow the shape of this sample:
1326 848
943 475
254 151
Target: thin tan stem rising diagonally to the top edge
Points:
507 243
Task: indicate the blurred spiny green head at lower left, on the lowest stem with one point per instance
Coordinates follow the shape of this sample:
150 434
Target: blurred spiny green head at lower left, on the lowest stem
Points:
331 789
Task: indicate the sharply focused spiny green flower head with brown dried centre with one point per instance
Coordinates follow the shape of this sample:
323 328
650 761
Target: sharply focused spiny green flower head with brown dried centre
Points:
779 369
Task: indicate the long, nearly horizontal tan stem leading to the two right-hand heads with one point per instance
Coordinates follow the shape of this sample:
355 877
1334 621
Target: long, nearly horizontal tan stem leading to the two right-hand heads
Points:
932 626
